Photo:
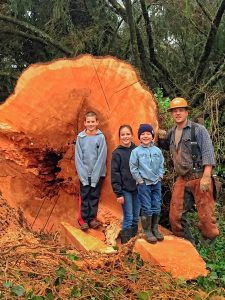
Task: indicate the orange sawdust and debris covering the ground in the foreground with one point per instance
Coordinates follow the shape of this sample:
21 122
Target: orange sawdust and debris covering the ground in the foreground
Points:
33 266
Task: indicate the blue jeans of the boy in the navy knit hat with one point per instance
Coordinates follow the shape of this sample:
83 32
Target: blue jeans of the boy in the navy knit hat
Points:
150 198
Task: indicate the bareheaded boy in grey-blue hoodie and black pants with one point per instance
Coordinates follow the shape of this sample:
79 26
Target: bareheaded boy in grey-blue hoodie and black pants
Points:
90 161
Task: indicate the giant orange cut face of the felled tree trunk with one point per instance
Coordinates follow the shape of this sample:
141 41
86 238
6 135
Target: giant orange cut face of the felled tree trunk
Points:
40 122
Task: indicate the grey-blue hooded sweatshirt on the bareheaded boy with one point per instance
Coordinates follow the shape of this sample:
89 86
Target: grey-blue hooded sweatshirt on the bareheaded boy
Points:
90 157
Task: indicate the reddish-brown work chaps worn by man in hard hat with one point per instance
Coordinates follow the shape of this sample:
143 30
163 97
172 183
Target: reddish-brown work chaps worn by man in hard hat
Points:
205 205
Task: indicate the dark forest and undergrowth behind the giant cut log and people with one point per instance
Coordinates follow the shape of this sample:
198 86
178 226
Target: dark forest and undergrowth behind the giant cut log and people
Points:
178 47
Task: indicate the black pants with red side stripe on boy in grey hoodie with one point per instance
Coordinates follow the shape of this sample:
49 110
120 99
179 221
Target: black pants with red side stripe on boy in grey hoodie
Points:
89 202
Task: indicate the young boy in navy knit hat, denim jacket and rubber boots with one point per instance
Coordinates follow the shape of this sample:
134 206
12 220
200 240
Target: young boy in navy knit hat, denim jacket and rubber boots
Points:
146 166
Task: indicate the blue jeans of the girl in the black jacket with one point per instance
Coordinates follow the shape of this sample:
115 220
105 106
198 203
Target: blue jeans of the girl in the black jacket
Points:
131 210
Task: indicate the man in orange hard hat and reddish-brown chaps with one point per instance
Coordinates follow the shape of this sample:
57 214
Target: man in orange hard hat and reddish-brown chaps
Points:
193 162
